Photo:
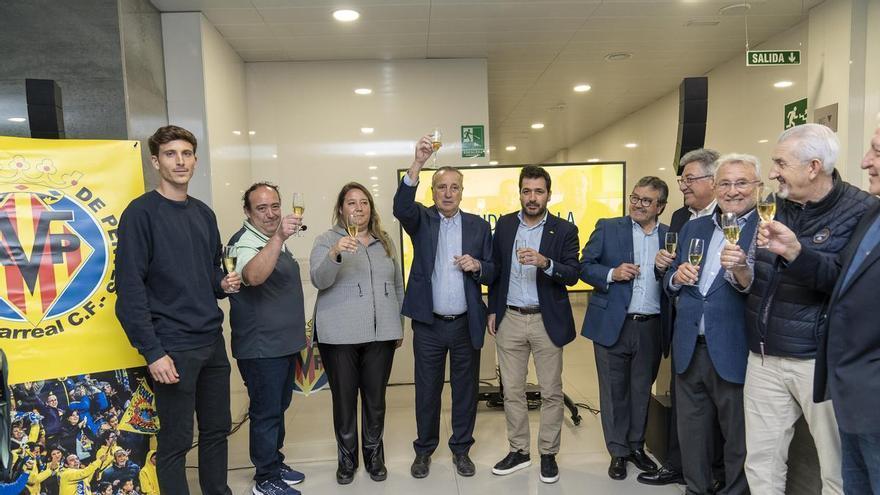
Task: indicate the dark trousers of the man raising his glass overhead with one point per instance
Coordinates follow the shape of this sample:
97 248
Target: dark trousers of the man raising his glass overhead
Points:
431 343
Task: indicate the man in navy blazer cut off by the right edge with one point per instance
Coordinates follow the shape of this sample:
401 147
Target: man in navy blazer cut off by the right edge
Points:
848 357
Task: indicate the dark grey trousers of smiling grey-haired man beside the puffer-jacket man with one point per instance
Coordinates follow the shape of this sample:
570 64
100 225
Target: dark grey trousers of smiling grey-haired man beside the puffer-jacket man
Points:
704 398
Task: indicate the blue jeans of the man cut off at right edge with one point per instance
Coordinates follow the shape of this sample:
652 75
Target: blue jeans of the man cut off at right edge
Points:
861 462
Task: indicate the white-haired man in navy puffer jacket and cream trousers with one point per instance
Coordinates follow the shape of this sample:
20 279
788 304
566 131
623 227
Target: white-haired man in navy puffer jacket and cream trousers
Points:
785 316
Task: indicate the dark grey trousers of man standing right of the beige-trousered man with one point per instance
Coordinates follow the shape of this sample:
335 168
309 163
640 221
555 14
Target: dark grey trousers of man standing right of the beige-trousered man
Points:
626 372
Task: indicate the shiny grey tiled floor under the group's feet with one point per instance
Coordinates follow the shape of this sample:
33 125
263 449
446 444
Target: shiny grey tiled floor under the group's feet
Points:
583 460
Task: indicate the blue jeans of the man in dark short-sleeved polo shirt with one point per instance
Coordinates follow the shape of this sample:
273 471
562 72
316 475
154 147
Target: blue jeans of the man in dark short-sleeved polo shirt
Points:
269 383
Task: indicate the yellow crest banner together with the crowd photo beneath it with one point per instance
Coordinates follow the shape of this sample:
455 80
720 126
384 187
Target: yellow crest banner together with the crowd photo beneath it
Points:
77 383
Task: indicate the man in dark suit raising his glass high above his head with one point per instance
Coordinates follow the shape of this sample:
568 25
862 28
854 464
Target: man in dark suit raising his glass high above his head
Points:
452 257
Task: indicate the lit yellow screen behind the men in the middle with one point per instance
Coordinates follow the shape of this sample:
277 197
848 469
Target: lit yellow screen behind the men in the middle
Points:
581 193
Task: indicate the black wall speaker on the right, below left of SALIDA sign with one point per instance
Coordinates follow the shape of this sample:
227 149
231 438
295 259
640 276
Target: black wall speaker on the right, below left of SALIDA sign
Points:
693 106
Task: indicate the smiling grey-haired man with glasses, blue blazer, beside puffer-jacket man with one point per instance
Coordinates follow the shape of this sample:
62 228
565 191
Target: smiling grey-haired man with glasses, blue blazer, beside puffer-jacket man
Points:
709 341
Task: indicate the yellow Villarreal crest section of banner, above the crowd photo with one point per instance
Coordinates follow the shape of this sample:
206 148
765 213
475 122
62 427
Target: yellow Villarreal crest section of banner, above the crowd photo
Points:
60 202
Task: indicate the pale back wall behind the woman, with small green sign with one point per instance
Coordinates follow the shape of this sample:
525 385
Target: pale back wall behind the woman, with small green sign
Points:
307 123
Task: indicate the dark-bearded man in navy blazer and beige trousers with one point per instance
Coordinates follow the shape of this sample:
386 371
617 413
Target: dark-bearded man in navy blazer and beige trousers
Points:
536 257
